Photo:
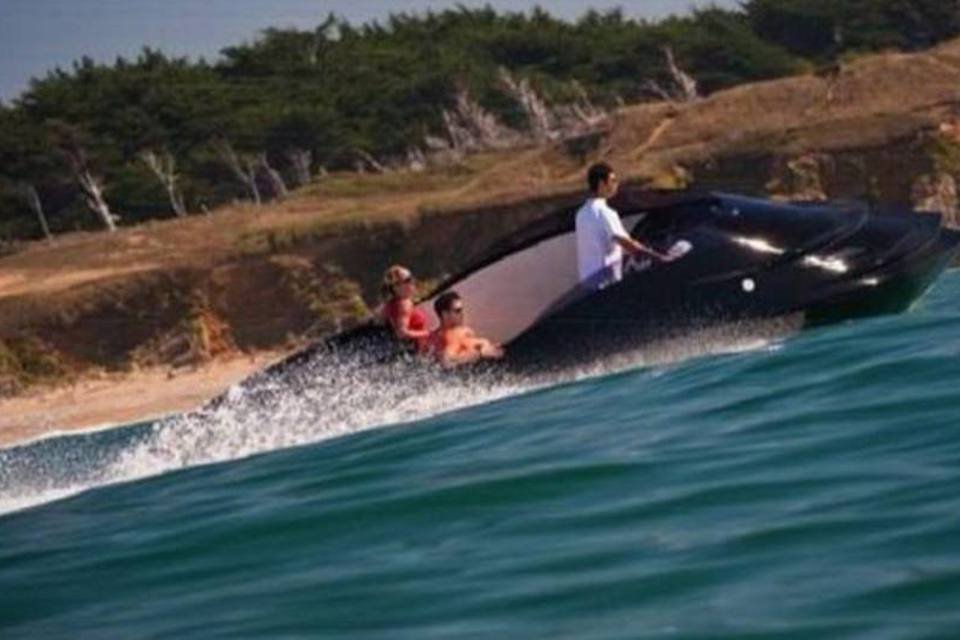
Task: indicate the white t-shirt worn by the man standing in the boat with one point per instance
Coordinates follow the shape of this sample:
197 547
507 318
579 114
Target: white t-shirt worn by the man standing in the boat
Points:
598 256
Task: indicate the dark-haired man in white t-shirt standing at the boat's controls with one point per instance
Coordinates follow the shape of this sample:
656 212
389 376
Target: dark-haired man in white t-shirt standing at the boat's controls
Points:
601 238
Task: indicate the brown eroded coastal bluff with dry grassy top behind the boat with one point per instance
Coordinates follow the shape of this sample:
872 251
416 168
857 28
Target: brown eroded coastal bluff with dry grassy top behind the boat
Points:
883 129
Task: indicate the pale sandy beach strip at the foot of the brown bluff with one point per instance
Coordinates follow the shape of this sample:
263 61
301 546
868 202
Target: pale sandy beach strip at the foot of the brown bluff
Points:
115 400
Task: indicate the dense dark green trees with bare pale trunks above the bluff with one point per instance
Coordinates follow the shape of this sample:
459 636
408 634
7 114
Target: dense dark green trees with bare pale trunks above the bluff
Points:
159 136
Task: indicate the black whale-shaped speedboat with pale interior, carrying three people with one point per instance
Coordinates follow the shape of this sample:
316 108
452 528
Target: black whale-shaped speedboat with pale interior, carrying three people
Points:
748 259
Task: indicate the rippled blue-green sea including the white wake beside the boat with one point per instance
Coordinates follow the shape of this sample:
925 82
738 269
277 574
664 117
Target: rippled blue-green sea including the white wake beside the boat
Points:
802 486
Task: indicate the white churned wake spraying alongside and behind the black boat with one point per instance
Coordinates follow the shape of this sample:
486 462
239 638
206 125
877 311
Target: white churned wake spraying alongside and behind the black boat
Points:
329 397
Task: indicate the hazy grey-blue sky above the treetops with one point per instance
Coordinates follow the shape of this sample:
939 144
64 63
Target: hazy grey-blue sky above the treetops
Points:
39 35
